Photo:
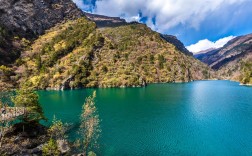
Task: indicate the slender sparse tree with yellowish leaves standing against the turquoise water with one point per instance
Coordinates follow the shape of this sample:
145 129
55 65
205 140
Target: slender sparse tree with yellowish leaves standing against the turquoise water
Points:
90 124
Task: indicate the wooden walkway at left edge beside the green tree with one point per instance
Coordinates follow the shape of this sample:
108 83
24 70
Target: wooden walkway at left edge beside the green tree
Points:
11 113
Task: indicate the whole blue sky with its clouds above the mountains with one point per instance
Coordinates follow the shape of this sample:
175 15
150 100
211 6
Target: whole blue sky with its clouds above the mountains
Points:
199 24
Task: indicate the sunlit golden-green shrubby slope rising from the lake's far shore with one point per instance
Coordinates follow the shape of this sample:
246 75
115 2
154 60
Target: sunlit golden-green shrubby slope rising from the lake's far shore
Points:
76 54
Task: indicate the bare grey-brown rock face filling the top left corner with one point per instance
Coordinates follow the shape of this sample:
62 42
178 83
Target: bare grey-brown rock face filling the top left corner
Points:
29 18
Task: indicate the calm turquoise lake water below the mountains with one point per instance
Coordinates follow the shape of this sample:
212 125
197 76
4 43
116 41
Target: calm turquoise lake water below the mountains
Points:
197 118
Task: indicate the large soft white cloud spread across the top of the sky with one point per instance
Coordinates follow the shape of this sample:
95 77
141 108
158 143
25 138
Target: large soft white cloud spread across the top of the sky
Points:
168 13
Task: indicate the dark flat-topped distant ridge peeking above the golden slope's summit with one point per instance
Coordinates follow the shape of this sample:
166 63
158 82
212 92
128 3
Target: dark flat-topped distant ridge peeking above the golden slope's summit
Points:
105 21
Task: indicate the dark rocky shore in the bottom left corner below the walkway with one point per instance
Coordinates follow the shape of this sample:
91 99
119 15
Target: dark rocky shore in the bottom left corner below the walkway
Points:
24 140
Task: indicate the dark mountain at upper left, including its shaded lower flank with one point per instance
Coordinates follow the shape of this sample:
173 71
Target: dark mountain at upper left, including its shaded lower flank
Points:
22 21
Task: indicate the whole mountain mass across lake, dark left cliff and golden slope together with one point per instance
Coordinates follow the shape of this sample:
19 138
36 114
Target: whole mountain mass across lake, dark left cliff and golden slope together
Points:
76 50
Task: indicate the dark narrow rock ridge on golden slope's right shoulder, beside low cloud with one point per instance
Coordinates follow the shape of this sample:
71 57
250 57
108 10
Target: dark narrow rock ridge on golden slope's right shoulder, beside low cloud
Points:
179 45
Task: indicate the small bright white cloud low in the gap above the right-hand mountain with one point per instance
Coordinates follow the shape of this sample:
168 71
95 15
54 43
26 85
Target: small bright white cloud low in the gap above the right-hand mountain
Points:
206 44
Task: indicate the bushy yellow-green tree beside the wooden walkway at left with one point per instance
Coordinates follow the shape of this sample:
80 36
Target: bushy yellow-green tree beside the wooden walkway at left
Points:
27 98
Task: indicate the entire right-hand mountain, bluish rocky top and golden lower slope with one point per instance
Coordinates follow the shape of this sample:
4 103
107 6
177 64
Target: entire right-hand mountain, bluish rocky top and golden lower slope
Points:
233 60
